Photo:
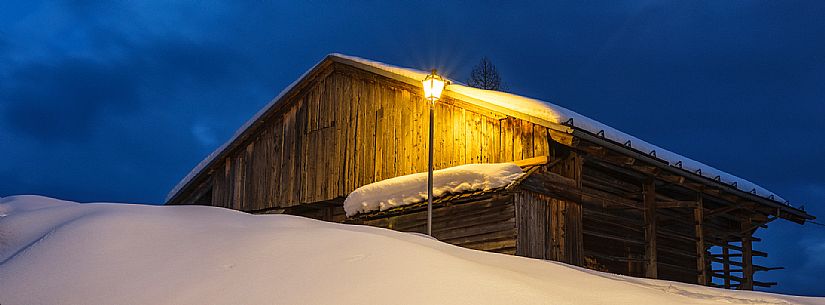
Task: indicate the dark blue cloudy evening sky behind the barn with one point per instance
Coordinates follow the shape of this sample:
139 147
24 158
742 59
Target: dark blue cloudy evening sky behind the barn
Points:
116 102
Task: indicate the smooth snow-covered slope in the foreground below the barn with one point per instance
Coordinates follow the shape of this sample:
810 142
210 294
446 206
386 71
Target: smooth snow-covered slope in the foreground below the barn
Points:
59 252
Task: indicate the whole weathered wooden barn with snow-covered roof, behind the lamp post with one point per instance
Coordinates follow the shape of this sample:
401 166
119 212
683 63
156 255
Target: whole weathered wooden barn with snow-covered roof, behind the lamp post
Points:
592 196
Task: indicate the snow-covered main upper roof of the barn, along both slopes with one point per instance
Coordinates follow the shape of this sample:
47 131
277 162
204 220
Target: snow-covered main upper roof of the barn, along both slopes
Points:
544 112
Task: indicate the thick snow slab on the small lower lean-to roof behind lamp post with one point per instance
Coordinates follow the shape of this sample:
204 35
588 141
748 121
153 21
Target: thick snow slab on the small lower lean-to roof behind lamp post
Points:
410 189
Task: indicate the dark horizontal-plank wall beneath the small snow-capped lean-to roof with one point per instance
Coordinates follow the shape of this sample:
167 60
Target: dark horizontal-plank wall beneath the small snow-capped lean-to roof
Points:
485 224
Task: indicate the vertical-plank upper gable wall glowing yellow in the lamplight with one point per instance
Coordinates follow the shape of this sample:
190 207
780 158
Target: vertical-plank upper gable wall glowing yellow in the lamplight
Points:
351 128
